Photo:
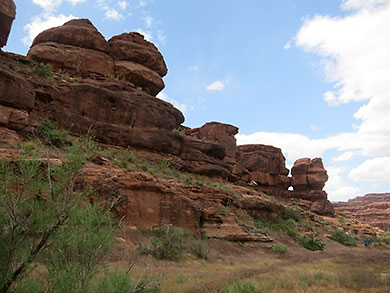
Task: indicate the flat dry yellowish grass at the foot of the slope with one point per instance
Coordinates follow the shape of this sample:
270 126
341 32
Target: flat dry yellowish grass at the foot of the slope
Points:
257 268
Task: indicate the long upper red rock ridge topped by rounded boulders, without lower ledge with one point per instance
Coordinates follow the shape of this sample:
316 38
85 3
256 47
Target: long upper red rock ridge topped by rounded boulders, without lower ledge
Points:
113 99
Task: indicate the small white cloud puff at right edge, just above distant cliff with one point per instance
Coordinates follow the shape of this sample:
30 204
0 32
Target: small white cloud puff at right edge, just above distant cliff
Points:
373 170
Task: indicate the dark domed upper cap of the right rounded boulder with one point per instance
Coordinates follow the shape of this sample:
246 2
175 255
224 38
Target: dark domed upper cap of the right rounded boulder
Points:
133 47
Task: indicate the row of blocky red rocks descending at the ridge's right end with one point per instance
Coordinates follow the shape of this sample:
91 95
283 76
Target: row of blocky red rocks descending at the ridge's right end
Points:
265 167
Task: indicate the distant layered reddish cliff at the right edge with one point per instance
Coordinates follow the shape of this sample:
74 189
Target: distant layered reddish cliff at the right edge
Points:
373 208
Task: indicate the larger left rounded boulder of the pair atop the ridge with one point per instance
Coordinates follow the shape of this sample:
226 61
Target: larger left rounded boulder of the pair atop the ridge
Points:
76 45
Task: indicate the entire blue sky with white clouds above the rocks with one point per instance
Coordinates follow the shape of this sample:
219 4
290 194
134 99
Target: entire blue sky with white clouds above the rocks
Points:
310 77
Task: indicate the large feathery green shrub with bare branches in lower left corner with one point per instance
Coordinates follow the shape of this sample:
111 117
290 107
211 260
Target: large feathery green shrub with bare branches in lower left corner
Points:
44 220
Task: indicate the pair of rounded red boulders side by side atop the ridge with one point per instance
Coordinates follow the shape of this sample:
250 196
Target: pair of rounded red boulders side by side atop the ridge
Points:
79 46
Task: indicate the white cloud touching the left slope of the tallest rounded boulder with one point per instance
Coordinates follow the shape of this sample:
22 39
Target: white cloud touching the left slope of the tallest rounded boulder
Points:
42 22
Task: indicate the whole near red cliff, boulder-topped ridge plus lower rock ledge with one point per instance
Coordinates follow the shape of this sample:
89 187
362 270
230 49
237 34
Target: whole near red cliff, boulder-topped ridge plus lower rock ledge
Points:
107 90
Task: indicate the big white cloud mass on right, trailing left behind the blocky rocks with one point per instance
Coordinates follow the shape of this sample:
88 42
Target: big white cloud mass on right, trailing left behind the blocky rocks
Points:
354 52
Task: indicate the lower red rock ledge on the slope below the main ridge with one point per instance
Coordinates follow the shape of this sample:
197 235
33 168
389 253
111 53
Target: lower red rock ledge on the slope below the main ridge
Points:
143 200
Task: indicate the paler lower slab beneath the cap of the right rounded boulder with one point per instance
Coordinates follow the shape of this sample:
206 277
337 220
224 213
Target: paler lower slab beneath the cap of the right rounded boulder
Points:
140 75
